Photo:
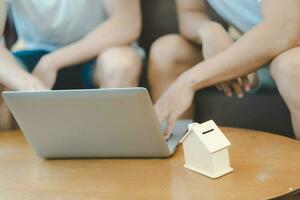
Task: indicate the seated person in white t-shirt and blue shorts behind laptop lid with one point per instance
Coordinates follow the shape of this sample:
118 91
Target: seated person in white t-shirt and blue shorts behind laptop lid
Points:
101 34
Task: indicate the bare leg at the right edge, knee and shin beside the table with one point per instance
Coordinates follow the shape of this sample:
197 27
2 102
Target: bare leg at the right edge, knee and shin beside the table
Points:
285 70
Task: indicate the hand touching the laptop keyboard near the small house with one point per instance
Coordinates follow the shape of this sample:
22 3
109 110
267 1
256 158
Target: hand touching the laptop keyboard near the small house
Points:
175 101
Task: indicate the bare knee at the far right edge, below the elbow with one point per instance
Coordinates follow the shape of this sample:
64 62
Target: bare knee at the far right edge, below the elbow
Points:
285 69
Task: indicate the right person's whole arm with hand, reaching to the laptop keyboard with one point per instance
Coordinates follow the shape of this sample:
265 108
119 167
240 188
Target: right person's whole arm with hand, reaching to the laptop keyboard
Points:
279 31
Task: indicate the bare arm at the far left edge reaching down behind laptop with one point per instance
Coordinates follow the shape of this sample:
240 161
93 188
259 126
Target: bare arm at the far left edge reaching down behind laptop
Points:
11 74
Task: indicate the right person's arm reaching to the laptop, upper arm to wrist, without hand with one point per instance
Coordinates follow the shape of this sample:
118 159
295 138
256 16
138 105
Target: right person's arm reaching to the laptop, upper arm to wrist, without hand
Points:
279 31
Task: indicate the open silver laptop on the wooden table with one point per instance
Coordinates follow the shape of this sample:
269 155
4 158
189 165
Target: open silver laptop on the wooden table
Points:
92 123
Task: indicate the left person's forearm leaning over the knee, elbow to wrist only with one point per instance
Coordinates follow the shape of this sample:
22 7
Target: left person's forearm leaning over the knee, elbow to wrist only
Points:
106 35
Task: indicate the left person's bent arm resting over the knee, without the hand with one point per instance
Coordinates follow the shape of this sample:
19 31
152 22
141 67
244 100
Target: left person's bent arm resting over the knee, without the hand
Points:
122 27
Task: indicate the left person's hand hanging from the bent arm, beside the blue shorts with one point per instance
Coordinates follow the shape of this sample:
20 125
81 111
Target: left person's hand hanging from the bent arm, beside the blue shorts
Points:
46 71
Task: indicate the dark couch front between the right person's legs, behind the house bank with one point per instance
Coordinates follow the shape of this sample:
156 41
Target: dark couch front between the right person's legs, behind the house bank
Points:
264 111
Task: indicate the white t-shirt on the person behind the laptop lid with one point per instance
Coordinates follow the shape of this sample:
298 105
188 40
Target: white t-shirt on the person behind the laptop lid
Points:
50 24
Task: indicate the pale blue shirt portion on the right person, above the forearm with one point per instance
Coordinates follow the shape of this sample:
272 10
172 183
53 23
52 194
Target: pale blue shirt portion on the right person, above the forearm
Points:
243 14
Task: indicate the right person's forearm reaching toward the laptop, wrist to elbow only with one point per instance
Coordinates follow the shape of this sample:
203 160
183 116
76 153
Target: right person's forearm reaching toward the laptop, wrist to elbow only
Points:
246 55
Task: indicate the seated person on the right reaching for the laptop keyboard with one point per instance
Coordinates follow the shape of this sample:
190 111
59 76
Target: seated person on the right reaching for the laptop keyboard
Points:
204 54
